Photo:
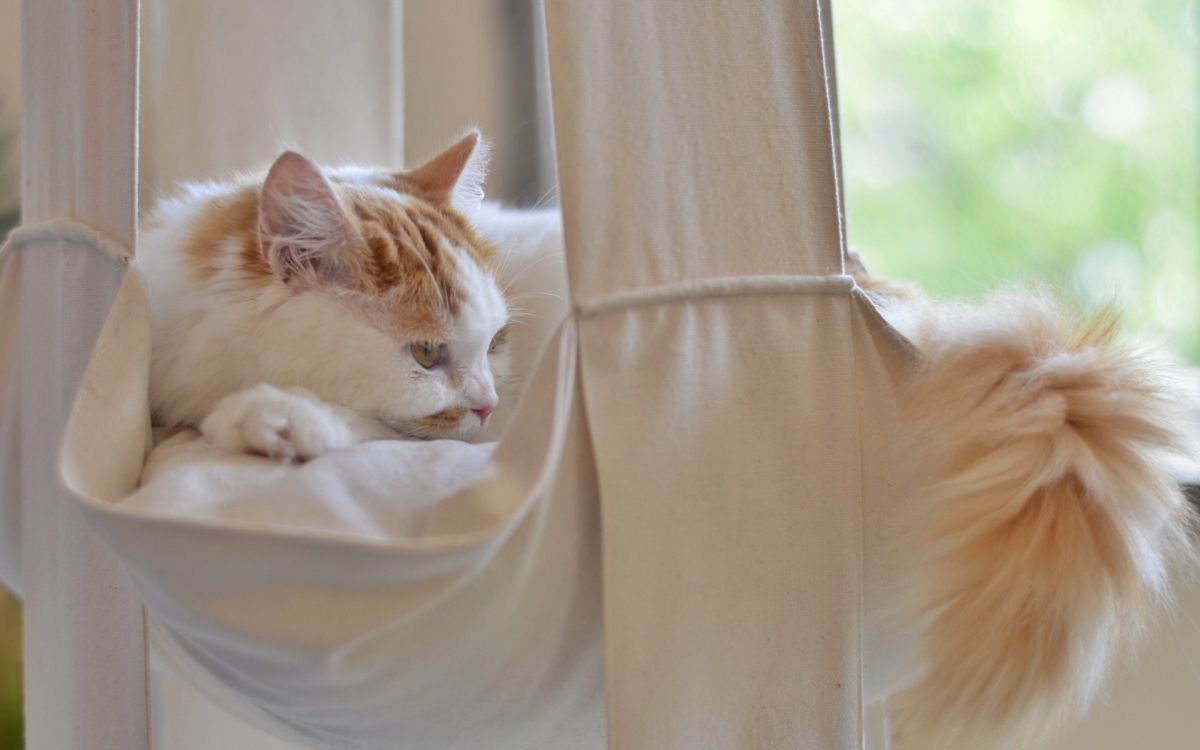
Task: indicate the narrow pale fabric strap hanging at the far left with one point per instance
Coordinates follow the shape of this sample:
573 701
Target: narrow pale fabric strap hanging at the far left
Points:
86 677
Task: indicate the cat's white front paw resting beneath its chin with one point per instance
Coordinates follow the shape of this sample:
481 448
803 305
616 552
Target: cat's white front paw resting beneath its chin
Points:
292 425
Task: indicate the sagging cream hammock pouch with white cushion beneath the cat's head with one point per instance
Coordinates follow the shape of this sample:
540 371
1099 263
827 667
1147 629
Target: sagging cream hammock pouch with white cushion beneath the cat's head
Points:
472 622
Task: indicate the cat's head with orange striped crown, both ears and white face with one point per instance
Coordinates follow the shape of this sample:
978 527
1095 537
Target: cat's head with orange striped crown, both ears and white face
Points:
400 295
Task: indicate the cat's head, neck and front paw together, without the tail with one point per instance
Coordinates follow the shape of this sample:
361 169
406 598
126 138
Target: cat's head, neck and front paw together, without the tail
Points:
308 310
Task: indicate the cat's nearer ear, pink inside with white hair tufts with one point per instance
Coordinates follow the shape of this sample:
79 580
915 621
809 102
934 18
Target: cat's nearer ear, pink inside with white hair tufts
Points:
303 229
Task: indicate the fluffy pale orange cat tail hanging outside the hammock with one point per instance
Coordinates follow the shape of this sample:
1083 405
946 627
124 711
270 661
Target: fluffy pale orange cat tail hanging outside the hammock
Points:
1047 530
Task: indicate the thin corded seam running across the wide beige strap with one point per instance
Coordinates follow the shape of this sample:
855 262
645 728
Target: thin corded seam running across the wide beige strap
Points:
706 289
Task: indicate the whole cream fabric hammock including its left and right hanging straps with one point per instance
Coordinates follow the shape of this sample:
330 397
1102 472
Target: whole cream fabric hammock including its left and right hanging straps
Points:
719 401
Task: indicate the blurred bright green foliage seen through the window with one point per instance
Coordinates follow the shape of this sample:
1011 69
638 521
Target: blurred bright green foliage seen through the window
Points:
1051 141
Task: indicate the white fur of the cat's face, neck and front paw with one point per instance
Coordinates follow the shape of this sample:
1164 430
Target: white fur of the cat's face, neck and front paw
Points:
223 337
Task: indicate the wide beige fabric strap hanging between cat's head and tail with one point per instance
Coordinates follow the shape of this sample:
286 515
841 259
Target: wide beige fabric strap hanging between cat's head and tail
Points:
723 367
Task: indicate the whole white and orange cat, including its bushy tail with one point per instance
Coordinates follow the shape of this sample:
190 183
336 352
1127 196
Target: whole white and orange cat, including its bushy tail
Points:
310 309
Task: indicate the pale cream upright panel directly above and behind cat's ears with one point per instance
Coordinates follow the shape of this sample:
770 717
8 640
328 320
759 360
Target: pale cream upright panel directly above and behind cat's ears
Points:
229 85
